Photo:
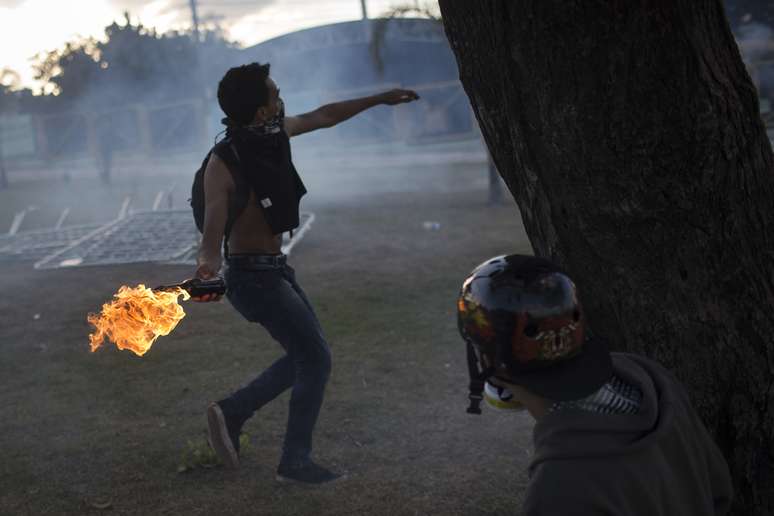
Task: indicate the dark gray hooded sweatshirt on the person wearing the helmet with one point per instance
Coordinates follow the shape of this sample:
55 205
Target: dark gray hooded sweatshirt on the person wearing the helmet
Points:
660 461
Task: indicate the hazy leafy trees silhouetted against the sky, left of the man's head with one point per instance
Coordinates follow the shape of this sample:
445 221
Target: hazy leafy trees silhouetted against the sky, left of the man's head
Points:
132 63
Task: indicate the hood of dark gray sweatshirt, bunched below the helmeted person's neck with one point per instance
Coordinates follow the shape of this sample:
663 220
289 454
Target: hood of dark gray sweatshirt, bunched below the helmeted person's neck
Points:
567 434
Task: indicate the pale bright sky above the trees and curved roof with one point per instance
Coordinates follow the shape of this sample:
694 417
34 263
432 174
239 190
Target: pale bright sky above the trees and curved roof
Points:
28 27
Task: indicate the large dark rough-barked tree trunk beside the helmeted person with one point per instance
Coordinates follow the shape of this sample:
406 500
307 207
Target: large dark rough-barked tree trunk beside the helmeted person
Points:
630 137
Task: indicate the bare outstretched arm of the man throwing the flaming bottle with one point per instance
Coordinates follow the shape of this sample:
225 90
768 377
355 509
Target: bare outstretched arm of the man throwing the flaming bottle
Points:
332 114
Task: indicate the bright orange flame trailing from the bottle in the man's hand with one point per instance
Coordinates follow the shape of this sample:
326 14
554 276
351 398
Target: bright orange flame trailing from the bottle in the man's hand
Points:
136 318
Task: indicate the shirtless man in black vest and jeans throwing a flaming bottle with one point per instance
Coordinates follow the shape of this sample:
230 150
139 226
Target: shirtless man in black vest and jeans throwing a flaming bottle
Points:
254 160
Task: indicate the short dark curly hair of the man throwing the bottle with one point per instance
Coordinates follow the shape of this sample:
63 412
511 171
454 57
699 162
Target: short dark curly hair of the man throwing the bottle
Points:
242 90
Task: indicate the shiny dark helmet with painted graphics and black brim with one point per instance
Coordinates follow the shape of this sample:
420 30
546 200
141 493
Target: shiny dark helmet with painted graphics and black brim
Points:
524 324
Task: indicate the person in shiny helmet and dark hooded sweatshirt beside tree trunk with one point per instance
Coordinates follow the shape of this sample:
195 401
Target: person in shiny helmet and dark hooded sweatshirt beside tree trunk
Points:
615 433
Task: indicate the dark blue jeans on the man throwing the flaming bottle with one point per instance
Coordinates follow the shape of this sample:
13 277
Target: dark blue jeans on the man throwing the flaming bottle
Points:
270 295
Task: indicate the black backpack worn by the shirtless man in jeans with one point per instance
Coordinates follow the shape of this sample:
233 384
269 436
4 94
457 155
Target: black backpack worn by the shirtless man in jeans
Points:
237 202
